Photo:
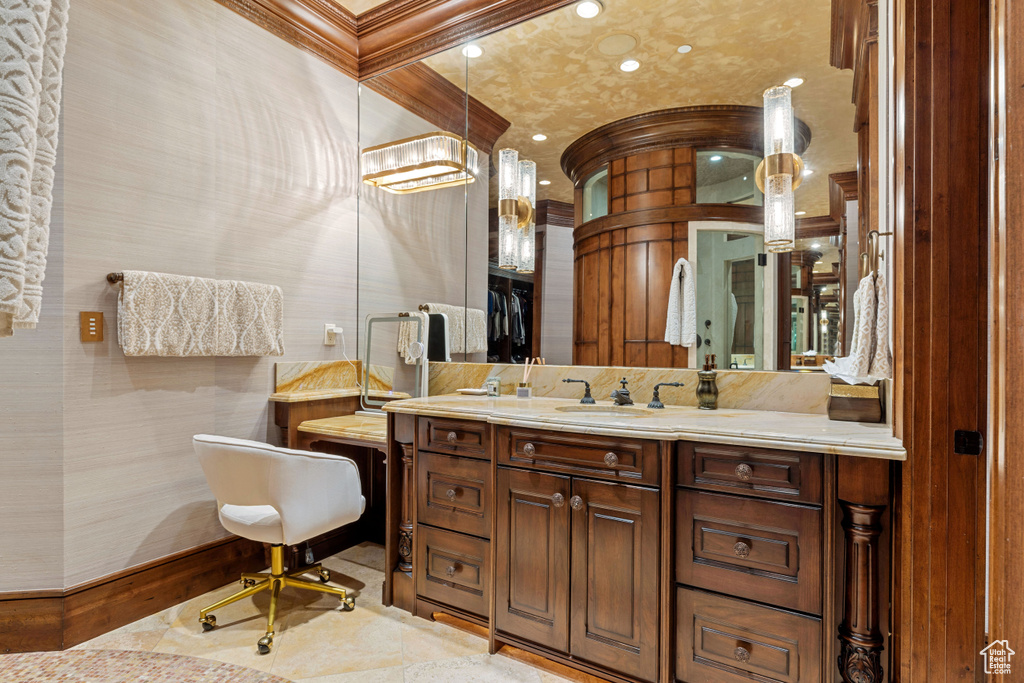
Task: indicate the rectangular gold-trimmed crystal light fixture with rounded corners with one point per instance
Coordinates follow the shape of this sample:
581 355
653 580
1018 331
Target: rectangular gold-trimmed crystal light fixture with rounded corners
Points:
418 164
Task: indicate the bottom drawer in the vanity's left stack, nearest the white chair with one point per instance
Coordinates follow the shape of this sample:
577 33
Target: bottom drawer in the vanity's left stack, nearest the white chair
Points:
453 570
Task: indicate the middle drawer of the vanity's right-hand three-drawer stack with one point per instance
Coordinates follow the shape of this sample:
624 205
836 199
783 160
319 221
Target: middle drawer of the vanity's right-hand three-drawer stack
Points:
765 551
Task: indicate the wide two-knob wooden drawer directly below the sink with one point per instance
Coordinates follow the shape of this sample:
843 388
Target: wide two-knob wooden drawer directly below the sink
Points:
603 457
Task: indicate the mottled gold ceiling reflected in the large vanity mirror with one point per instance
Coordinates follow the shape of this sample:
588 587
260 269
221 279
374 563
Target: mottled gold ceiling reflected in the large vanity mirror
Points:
549 76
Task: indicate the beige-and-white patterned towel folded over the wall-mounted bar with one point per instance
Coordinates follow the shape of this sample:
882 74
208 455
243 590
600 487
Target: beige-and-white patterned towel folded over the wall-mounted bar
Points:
178 316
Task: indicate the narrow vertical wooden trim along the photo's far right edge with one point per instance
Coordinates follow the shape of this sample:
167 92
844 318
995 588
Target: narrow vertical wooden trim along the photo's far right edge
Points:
1006 388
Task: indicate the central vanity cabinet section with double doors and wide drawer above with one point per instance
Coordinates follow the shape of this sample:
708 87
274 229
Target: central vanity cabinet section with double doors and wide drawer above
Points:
577 561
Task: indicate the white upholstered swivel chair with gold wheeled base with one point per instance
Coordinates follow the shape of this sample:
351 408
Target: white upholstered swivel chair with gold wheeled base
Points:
283 498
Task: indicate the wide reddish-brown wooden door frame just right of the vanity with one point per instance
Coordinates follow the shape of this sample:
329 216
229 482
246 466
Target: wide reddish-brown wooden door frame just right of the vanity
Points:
941 316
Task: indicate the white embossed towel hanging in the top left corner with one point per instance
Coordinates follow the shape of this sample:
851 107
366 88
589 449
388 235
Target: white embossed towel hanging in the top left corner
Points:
32 50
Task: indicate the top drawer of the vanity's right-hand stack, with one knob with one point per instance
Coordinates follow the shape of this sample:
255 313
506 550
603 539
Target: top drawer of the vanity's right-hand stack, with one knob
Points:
783 476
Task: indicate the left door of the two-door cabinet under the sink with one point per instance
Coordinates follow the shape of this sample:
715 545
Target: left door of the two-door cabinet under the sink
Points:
532 577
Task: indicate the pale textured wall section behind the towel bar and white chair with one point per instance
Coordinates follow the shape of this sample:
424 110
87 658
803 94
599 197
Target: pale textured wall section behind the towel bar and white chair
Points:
198 144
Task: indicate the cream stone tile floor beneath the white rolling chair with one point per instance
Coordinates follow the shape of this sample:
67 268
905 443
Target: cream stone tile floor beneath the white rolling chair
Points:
317 643
